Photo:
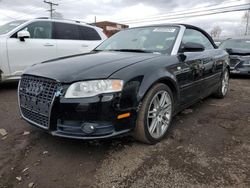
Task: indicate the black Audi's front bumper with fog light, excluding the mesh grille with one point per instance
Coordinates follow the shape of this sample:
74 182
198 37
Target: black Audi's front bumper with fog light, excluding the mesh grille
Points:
89 118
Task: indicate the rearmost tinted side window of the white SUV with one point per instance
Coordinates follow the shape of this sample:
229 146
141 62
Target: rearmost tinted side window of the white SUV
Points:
88 33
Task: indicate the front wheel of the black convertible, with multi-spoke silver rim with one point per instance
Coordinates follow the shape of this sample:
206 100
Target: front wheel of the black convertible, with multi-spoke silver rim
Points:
155 115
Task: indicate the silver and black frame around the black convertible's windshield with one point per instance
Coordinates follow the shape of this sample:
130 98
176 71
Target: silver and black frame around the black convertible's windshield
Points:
141 50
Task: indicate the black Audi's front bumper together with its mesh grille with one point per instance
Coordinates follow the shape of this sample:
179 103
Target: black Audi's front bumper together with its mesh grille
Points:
42 104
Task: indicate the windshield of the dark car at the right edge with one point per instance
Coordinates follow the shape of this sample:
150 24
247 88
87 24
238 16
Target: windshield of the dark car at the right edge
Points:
236 43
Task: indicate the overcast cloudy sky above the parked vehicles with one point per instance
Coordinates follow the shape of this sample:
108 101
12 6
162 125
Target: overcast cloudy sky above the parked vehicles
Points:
130 12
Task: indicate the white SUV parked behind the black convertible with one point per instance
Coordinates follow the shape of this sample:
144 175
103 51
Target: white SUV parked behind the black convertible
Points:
24 43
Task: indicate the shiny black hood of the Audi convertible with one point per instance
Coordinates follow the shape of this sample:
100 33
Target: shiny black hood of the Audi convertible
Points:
95 65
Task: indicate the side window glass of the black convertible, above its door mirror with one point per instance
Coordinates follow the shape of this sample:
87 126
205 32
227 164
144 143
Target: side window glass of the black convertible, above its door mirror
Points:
192 35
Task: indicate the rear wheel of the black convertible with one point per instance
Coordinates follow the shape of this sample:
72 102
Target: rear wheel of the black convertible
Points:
222 90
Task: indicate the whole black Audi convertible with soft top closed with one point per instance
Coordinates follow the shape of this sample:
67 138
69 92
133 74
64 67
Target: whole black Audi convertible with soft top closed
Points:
133 83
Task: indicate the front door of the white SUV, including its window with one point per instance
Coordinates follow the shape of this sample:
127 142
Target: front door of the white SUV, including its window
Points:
38 48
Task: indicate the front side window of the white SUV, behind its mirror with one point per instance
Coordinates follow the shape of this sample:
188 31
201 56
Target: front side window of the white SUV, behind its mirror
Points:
38 30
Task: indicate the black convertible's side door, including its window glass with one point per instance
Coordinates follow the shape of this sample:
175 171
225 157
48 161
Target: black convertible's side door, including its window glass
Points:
193 67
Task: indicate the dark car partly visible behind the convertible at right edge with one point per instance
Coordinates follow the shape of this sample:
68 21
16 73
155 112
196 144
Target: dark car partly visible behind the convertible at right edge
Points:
239 51
